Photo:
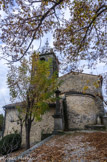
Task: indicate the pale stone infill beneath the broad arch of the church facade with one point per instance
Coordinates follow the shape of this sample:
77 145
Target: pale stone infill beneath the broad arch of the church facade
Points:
82 110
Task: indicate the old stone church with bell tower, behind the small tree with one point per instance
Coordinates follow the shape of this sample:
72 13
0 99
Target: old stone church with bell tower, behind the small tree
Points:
76 109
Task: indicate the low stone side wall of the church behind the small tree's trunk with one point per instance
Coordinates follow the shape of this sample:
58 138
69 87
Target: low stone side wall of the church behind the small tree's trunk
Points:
38 128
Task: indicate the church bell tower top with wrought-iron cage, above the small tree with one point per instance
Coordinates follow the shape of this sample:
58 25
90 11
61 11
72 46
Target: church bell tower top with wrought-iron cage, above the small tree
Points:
48 53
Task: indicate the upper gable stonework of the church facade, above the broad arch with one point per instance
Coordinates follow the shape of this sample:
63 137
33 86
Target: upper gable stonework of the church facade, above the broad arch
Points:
77 82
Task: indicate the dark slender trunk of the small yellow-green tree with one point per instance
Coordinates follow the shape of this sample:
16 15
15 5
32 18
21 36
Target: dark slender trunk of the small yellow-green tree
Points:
28 127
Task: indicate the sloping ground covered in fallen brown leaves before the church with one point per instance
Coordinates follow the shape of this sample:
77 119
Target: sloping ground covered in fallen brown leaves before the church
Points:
75 146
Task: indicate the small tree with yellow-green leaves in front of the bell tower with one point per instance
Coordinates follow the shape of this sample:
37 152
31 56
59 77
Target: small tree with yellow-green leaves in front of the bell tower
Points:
32 84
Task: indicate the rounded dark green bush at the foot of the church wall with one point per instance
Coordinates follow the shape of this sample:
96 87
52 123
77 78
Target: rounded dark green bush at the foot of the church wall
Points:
10 143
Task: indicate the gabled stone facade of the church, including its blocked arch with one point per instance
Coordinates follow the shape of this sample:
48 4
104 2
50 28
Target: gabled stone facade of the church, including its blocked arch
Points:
82 107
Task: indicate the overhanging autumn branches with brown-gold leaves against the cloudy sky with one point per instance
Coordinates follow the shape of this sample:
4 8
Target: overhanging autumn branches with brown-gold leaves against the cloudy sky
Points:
78 35
